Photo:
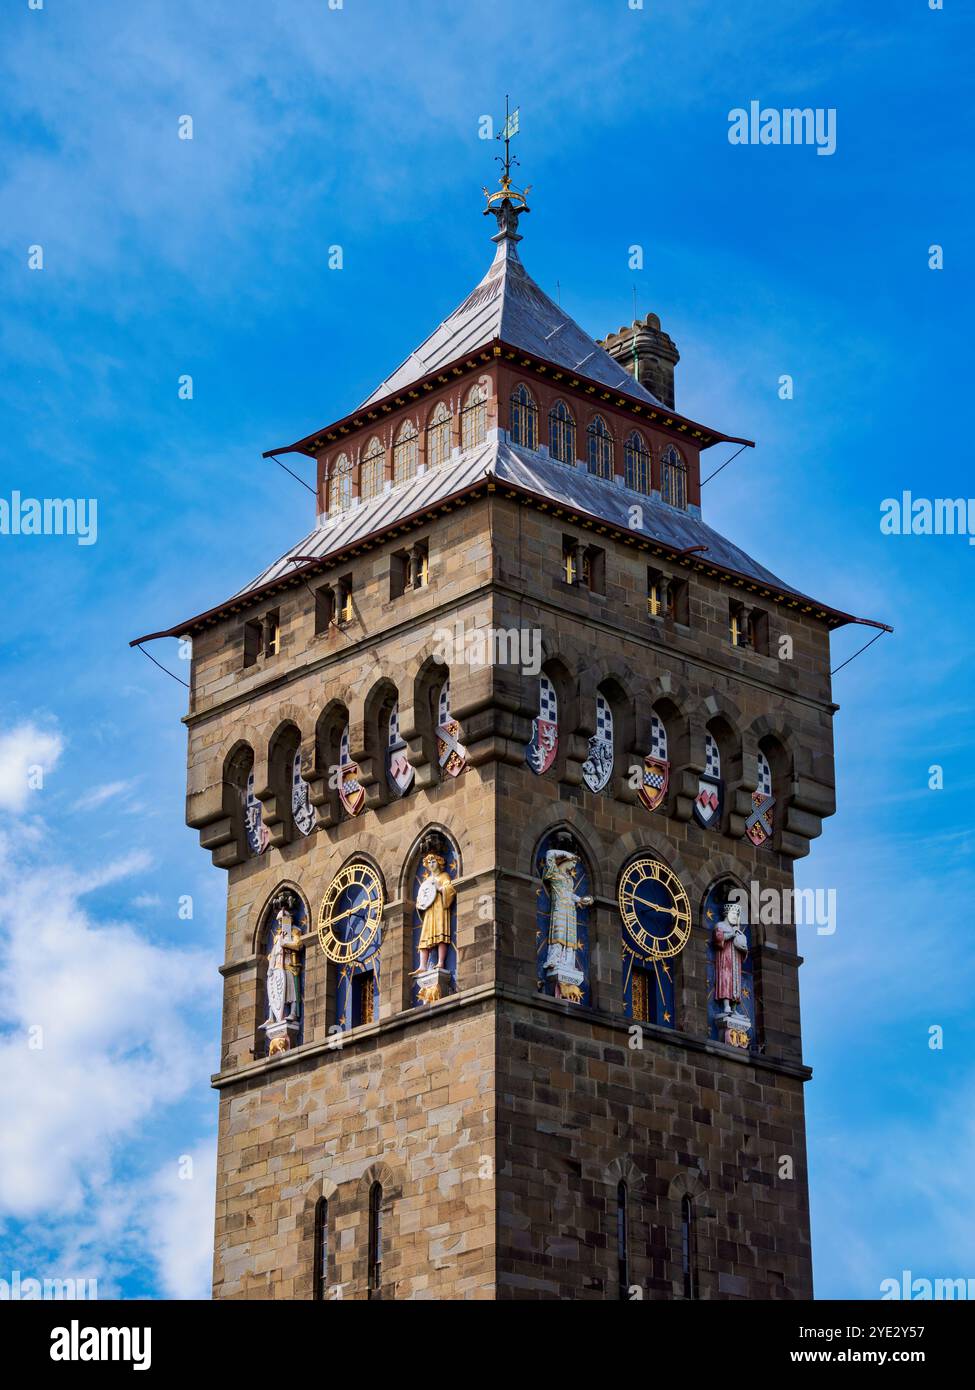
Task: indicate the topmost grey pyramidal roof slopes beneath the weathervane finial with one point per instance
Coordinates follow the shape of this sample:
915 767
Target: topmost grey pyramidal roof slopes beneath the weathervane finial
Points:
508 305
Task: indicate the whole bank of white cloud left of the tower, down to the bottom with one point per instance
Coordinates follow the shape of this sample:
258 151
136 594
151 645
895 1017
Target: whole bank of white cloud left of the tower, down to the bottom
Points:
101 1038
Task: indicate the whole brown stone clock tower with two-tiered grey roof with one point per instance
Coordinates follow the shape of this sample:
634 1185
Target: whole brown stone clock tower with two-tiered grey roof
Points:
489 758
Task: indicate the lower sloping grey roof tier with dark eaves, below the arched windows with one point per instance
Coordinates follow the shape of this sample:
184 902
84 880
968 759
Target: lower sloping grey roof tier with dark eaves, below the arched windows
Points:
563 491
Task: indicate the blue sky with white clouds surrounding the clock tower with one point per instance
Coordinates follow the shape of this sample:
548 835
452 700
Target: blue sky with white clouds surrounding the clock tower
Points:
162 258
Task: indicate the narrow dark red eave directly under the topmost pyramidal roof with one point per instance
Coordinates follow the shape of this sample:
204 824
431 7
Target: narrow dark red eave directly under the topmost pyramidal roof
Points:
646 411
